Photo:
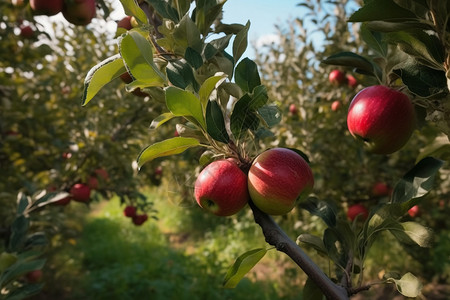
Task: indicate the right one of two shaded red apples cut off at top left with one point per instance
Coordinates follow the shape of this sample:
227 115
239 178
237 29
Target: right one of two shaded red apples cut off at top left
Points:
79 12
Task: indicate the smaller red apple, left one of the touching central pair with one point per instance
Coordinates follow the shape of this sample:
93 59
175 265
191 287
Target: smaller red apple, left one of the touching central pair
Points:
221 188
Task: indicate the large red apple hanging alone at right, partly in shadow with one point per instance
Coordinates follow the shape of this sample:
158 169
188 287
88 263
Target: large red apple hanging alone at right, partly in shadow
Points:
383 117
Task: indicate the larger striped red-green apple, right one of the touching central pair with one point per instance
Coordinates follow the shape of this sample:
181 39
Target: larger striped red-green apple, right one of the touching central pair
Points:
277 178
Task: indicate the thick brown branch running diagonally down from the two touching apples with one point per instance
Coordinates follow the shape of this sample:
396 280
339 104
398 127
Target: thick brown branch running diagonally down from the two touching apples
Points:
275 236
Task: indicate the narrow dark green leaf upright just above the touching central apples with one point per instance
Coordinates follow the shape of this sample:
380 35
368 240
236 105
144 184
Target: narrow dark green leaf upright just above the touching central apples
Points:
215 123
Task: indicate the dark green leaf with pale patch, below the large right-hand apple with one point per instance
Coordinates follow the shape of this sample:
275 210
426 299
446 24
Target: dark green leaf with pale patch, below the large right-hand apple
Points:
418 181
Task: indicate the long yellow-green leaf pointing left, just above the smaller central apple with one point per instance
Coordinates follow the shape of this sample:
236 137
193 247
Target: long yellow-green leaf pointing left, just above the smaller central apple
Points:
167 147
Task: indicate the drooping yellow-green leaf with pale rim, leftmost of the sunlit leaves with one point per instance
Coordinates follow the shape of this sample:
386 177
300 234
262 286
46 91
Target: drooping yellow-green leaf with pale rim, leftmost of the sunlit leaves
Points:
100 75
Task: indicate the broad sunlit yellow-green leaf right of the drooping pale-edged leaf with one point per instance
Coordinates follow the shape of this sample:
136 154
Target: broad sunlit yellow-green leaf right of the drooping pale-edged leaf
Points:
137 53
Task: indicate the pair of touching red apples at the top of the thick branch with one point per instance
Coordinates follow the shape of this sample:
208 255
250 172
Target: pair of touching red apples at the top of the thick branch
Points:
276 179
